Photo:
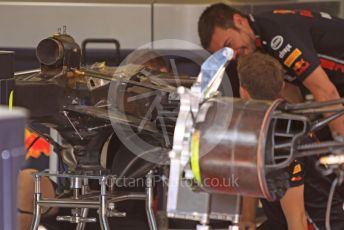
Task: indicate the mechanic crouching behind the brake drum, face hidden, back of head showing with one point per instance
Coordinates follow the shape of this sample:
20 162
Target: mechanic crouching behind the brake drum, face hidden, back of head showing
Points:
309 189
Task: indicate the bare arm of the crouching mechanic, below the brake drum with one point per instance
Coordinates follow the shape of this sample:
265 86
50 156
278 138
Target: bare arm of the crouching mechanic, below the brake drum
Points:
293 208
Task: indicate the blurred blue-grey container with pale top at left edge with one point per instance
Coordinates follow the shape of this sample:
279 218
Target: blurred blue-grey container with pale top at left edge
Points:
12 124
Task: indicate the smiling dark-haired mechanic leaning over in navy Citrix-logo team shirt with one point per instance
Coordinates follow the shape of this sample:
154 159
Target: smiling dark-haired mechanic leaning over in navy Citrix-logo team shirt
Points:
309 45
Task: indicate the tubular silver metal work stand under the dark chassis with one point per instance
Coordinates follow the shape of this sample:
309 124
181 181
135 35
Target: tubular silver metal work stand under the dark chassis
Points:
84 199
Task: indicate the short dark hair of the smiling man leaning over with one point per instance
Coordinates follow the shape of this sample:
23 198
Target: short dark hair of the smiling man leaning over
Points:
220 15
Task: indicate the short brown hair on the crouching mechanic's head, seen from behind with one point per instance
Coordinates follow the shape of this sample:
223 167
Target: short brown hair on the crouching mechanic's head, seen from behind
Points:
261 75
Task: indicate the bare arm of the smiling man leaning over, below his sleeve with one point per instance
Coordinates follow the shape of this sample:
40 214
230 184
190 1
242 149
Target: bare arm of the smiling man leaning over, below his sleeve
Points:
323 89
